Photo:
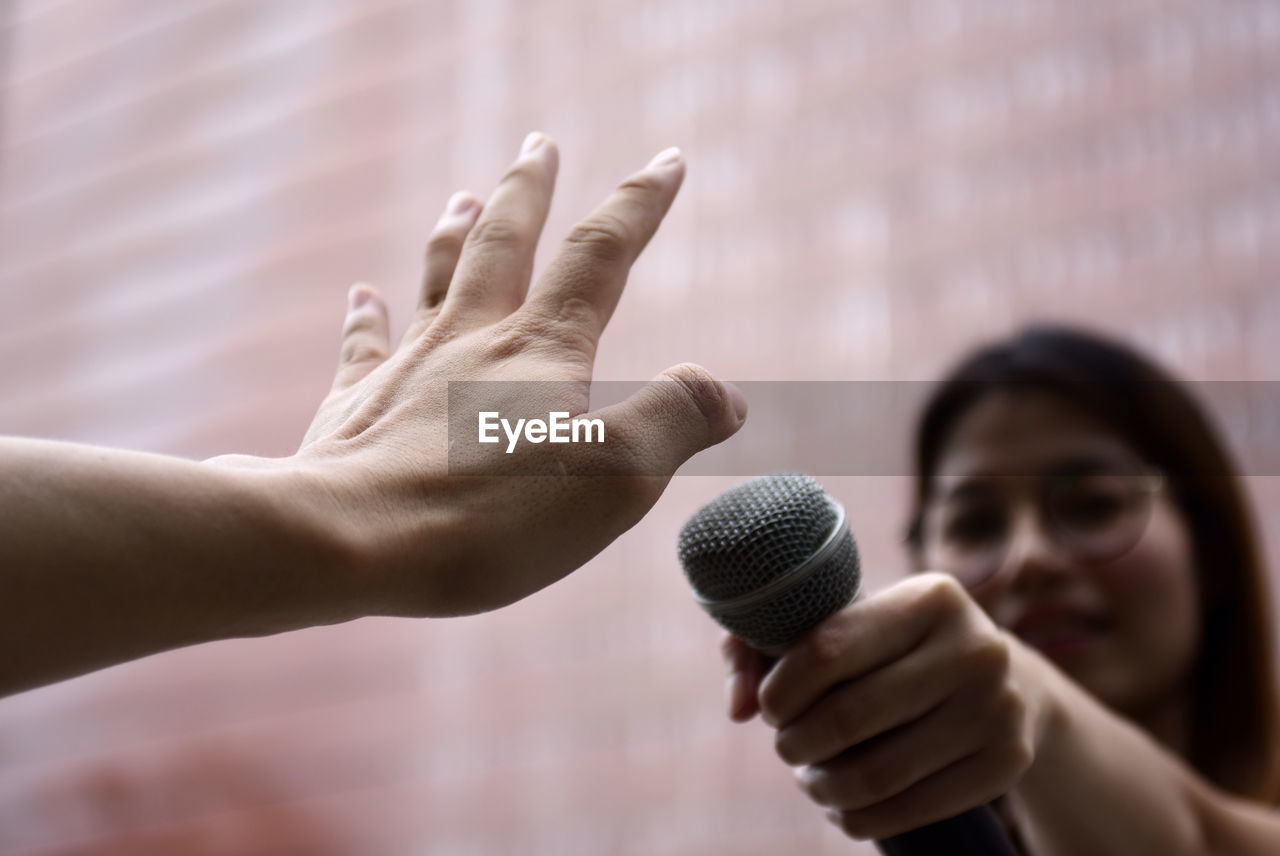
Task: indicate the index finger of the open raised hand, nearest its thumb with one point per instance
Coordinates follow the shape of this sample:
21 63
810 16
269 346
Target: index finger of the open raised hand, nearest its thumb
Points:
582 286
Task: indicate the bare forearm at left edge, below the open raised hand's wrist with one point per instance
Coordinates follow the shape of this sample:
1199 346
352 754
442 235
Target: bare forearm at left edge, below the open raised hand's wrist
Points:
107 556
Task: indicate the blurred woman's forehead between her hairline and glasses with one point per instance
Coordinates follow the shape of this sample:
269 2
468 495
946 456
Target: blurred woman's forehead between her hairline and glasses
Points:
1027 434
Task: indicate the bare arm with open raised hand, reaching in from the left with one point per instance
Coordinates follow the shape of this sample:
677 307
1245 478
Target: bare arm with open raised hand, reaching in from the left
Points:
108 556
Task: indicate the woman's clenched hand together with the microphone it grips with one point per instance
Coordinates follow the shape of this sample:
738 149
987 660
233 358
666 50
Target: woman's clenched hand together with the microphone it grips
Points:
903 713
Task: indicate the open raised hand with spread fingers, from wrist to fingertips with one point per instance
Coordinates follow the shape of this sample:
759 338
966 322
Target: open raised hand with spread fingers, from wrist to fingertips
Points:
432 532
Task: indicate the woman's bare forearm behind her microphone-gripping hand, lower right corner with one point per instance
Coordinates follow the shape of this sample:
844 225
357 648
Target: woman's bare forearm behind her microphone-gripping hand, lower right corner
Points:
1103 786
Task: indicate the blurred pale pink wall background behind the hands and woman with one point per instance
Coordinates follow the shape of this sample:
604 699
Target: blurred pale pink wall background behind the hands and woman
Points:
188 191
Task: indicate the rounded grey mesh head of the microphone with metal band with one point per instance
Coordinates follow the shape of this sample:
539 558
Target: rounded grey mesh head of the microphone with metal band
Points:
755 534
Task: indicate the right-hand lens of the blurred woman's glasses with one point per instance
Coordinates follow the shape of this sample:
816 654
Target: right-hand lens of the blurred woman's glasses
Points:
1100 516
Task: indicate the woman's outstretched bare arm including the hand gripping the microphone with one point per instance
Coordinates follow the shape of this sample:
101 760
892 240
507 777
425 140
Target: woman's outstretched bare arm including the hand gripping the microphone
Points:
912 707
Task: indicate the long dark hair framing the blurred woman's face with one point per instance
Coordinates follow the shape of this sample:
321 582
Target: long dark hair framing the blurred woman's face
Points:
1235 735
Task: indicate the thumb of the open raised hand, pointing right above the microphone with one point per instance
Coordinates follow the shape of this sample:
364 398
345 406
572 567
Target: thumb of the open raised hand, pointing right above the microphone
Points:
675 416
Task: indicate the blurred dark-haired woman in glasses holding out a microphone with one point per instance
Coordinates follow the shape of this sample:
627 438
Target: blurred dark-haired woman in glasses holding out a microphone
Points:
1090 640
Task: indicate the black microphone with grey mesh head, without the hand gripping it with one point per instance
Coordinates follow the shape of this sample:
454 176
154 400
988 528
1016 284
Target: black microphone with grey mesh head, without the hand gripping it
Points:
772 559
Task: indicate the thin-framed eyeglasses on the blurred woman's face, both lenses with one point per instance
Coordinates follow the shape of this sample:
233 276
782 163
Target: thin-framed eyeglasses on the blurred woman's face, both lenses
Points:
1091 518
